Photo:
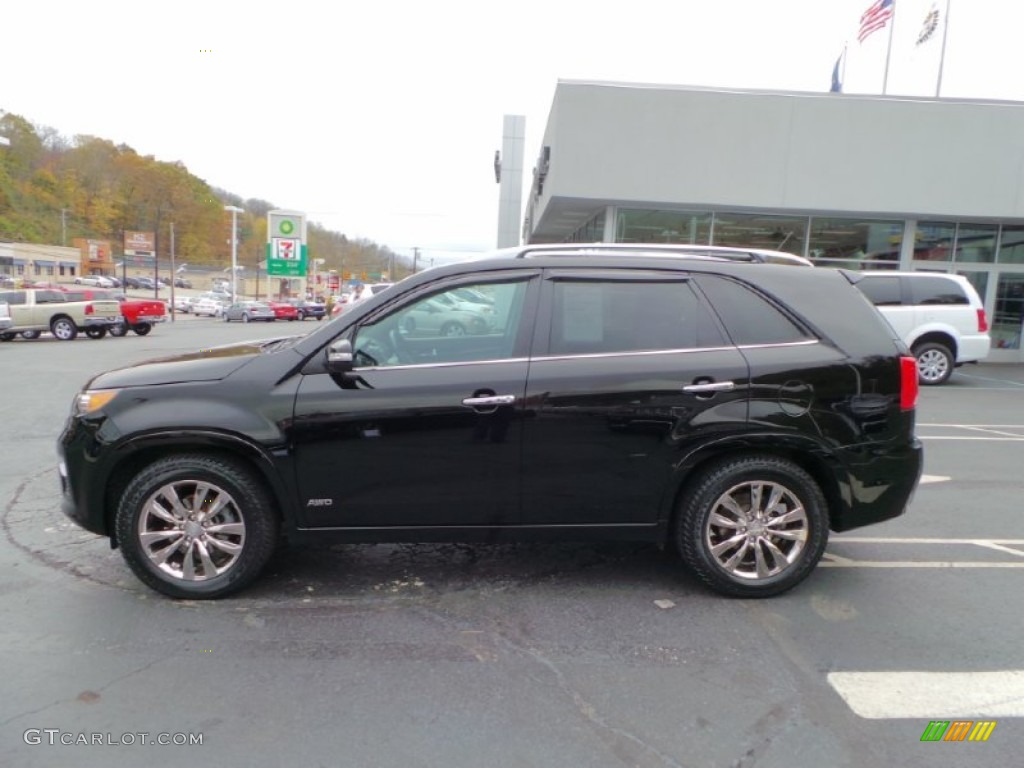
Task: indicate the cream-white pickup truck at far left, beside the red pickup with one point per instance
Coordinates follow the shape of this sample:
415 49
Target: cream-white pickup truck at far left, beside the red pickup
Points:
34 311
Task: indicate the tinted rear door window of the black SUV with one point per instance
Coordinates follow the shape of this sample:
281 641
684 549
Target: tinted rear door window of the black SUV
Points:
629 317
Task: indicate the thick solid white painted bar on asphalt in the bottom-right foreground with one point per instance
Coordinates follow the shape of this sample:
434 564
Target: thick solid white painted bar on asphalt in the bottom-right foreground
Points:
932 696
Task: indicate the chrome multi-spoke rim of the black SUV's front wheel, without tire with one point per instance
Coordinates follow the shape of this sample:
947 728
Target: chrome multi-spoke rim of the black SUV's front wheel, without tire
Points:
192 531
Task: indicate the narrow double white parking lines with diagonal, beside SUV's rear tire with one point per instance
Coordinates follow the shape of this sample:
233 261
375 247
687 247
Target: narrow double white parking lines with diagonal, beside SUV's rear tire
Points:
982 547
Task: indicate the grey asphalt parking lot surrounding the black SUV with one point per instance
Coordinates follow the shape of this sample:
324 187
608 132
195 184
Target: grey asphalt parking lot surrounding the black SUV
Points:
516 655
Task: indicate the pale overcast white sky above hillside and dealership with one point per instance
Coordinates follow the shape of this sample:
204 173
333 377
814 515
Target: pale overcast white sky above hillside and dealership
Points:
380 119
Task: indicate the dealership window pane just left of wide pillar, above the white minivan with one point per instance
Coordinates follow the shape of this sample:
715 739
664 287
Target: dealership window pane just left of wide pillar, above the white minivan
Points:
856 244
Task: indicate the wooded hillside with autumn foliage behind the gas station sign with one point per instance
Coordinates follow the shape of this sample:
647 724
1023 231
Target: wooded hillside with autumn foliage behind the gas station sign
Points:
54 190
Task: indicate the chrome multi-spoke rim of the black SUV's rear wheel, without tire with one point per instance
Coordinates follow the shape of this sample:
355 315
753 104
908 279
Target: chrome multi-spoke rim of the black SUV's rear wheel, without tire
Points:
756 530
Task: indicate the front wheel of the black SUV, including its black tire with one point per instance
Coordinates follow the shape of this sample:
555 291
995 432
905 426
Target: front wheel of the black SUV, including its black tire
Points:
238 540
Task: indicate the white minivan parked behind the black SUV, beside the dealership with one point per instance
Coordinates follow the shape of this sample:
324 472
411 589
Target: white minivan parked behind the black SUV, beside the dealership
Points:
938 316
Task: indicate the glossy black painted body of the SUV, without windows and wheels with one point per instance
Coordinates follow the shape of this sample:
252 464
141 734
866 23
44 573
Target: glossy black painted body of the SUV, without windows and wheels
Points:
592 445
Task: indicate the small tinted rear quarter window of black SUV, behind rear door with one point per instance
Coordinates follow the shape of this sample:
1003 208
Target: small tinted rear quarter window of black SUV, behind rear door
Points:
749 317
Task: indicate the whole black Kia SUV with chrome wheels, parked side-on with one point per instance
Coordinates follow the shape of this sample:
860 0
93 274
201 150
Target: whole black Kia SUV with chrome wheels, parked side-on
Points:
734 411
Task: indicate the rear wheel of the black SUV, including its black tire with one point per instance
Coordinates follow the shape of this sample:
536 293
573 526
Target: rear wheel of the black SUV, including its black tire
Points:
707 529
